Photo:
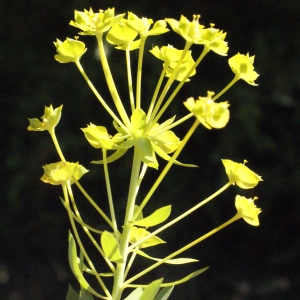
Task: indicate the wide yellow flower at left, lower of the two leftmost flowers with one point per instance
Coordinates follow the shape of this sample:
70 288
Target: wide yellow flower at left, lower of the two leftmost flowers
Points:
60 172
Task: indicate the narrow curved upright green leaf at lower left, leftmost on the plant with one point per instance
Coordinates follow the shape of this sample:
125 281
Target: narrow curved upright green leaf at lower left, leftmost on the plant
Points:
72 253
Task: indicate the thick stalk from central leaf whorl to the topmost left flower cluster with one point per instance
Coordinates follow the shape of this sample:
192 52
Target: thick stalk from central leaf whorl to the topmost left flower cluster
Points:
110 82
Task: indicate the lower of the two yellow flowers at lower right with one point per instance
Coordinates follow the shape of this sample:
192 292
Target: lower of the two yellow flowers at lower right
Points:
247 210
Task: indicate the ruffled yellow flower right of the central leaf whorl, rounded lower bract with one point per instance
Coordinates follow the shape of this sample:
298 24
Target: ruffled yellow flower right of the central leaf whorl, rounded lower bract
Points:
209 113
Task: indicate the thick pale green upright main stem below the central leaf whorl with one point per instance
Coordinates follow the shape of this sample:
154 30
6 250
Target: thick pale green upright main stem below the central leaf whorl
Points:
119 277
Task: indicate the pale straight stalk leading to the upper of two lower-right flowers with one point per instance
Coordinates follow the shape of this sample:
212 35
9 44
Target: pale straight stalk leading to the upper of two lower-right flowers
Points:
188 212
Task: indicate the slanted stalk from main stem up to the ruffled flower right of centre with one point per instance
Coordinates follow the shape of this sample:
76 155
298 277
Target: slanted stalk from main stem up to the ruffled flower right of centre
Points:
166 169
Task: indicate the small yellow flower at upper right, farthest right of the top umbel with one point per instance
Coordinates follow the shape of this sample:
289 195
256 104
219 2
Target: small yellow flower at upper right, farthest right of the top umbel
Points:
242 66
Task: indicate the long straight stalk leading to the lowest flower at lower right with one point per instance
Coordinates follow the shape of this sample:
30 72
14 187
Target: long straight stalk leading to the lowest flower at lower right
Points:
188 246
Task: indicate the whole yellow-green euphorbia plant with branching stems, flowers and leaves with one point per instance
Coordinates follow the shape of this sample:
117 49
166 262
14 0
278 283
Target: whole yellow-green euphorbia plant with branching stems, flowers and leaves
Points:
143 132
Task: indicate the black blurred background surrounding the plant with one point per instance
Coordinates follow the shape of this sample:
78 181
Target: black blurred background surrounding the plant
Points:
245 262
